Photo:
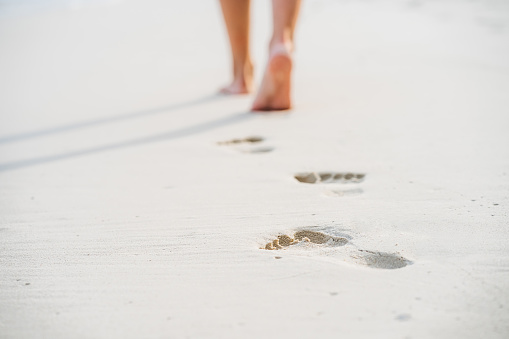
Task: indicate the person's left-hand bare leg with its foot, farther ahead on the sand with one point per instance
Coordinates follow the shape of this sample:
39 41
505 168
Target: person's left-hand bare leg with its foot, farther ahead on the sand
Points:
236 17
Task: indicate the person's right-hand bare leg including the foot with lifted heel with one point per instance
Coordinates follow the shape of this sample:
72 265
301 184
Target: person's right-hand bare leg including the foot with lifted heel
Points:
274 93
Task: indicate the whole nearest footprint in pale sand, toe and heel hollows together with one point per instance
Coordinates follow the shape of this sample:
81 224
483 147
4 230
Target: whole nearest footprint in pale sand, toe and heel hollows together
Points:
373 259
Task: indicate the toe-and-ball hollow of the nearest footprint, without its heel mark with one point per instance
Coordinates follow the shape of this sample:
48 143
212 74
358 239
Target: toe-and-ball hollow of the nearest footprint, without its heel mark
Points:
305 236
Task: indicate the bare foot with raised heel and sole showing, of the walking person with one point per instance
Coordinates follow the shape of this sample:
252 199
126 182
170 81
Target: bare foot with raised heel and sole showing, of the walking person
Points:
274 93
